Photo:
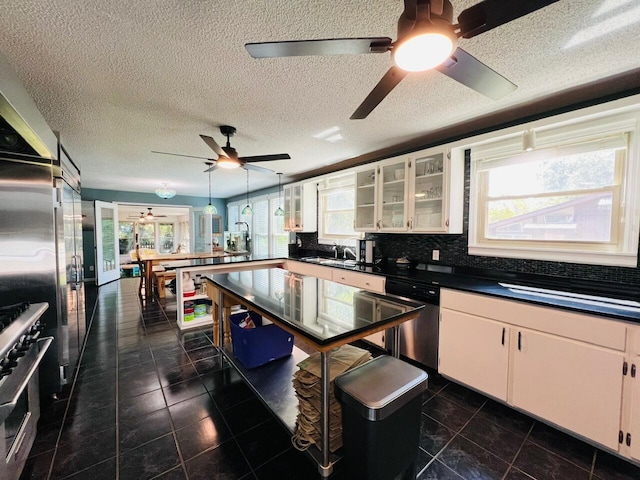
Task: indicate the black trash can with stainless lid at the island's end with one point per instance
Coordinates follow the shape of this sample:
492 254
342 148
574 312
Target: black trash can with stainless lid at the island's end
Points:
381 407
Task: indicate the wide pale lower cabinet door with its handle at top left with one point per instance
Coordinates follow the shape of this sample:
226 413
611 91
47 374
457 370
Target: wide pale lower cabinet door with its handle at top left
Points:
572 384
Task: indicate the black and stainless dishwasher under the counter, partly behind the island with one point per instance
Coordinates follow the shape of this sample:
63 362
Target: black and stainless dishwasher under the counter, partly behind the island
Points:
419 337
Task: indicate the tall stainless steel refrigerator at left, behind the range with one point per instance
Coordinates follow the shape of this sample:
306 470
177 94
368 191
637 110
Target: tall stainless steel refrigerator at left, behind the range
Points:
41 255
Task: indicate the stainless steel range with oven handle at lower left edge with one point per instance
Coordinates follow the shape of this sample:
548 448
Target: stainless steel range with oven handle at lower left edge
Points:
21 350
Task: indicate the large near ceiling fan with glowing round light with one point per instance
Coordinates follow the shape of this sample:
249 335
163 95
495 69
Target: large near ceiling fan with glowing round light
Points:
427 38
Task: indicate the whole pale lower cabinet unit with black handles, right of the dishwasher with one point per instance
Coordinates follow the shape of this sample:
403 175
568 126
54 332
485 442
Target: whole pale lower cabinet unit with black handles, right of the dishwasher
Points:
562 367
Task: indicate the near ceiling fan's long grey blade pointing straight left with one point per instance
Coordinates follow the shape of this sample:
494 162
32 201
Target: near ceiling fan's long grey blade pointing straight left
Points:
330 46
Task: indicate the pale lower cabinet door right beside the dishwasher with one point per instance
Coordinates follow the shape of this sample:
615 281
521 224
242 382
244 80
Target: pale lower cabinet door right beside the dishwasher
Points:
472 350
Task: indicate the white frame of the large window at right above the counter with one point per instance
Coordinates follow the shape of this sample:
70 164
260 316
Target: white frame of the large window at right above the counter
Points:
573 127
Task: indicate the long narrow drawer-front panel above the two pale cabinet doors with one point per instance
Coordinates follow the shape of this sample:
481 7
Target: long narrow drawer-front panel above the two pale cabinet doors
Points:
577 326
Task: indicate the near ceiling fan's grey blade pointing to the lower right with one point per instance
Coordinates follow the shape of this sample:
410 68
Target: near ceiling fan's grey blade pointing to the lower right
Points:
466 69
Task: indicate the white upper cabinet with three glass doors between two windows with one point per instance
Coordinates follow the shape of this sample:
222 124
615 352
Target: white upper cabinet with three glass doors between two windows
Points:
418 193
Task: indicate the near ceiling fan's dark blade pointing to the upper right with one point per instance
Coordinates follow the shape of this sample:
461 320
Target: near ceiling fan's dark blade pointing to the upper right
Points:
490 14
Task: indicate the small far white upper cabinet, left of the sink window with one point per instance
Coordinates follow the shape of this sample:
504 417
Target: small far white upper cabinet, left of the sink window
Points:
301 207
